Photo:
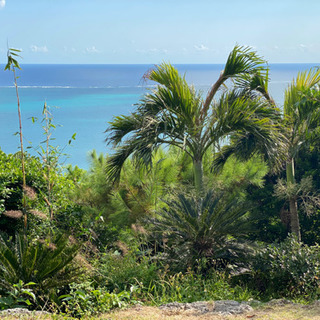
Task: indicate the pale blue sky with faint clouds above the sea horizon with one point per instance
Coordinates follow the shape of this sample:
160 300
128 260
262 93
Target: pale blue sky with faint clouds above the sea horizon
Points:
151 31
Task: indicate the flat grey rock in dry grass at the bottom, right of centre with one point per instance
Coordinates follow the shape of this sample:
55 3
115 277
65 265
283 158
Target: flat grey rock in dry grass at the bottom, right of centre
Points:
222 307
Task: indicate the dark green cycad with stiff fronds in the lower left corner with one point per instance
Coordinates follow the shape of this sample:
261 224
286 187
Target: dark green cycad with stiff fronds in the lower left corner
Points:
47 263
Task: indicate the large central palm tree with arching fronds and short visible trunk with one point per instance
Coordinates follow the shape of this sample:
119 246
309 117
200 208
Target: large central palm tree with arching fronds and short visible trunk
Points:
175 114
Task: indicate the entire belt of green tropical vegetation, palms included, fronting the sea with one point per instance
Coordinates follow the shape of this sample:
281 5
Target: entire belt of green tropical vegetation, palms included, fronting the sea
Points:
196 213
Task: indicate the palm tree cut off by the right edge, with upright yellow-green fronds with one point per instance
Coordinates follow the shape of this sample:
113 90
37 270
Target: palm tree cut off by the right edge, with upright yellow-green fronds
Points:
301 116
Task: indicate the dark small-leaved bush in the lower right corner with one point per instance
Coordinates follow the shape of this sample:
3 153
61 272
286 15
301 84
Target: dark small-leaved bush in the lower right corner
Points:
287 270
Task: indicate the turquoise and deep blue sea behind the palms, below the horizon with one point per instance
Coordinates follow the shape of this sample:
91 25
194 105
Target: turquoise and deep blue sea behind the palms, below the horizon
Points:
88 96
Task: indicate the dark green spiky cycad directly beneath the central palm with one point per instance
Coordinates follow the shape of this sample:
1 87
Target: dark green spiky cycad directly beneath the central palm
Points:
211 228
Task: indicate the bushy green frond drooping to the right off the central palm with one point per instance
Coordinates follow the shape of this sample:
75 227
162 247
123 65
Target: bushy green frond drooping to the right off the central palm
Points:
252 127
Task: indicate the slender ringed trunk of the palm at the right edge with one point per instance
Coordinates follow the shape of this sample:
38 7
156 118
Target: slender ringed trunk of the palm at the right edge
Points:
294 216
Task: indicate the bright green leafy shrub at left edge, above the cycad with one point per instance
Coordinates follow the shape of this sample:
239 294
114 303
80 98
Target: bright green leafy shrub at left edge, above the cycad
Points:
38 201
